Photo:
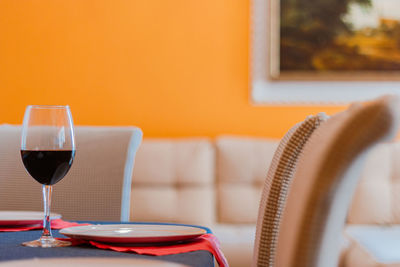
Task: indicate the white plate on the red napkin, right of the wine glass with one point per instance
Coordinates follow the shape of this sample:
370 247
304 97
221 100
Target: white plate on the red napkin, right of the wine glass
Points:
134 233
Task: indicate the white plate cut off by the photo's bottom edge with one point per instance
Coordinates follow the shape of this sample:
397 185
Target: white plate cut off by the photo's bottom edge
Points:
88 262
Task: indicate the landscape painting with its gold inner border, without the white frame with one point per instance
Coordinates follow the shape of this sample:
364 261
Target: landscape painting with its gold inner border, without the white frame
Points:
335 39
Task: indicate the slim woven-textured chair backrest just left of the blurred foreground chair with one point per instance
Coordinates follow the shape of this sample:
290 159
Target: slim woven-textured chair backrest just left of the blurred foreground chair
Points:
276 187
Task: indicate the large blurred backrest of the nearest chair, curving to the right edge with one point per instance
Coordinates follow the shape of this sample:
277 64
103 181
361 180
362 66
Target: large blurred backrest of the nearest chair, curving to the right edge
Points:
324 181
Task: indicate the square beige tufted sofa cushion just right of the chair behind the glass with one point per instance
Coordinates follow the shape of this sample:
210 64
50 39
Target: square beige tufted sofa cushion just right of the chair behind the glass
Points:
173 181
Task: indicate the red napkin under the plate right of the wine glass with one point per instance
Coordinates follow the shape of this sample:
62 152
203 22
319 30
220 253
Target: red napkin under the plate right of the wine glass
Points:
205 242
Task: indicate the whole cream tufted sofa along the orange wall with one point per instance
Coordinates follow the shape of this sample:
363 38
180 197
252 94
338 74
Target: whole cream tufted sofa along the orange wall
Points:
217 183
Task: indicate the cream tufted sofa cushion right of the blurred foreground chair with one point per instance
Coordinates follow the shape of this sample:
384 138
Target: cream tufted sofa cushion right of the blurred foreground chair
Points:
377 200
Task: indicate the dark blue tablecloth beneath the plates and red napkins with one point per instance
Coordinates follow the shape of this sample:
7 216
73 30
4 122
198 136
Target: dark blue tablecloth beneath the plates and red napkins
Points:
11 249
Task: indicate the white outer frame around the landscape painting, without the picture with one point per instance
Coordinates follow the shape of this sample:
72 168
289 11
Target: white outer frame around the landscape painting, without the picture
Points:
300 90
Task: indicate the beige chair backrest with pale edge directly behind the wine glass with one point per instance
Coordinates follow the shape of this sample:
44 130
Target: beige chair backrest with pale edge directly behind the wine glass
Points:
97 187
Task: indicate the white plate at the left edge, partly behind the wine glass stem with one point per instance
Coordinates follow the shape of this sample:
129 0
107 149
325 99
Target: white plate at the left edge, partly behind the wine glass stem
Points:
23 217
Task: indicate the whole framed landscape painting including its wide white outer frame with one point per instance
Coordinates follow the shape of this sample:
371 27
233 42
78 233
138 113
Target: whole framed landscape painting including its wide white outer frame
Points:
366 73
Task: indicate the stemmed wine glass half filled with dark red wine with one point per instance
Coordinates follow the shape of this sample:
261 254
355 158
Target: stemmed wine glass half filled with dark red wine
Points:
47 151
